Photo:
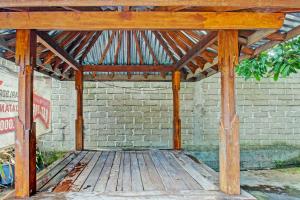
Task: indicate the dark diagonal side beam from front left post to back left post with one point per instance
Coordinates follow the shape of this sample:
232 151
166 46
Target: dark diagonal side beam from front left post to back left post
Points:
49 43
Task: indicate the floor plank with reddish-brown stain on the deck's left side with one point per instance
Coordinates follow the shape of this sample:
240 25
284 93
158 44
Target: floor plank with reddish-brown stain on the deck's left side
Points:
67 182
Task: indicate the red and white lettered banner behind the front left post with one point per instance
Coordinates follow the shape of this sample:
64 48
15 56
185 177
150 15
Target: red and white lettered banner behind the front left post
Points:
9 106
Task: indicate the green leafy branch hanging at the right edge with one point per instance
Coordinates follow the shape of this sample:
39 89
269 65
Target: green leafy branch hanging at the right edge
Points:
280 61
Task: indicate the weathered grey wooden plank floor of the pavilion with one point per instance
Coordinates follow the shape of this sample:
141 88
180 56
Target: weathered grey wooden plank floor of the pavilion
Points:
151 174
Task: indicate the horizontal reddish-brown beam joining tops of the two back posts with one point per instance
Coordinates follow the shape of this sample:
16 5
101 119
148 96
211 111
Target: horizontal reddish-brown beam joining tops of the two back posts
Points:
128 68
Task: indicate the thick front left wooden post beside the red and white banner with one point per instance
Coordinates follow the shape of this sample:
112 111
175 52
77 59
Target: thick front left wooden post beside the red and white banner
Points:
25 141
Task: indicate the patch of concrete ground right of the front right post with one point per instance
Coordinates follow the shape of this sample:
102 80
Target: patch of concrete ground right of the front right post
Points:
272 184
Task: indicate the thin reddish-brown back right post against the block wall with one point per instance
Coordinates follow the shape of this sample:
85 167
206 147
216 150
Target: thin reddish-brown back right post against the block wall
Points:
176 110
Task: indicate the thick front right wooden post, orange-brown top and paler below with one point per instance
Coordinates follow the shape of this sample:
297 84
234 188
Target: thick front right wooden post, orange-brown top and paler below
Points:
229 154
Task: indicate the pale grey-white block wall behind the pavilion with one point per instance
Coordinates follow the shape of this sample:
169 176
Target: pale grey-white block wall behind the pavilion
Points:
136 117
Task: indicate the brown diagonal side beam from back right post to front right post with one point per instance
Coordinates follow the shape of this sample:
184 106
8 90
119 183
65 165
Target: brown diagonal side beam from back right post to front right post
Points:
197 49
